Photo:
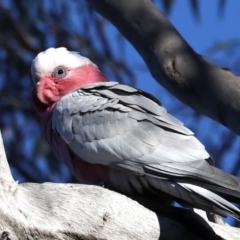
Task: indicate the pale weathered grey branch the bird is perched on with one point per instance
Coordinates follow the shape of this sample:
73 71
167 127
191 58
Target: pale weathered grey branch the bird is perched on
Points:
73 211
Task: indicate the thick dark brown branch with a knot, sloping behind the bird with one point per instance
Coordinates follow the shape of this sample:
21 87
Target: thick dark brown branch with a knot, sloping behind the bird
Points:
208 89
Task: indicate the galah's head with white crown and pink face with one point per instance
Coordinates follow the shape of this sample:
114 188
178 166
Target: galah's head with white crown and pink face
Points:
56 72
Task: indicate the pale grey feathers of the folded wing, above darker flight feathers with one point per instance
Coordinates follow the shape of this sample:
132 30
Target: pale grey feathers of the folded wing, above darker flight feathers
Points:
122 126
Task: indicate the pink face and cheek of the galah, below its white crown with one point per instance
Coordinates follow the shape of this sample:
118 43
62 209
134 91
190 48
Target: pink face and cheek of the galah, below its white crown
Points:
54 85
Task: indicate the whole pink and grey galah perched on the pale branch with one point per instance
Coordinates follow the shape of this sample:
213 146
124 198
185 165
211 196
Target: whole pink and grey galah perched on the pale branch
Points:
123 138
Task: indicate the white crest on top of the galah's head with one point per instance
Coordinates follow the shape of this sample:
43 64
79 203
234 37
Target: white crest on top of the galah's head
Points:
45 62
